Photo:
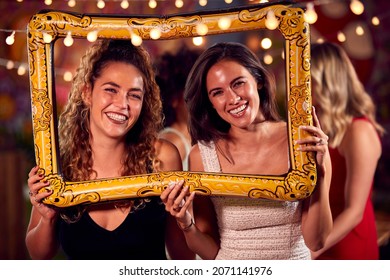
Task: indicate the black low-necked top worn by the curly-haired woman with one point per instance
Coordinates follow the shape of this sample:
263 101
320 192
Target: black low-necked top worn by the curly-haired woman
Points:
140 237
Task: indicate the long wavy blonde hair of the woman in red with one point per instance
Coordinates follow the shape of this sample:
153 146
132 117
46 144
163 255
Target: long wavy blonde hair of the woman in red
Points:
340 94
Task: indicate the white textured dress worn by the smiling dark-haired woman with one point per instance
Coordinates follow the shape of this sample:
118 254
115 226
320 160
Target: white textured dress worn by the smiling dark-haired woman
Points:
255 228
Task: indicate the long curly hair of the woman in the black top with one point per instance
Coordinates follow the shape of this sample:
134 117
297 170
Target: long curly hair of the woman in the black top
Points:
74 127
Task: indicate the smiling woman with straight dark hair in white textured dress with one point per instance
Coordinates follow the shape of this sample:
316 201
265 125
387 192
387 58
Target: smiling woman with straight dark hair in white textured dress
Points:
235 128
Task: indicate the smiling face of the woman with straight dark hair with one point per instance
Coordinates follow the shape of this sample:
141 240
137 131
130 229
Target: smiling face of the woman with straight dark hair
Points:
233 92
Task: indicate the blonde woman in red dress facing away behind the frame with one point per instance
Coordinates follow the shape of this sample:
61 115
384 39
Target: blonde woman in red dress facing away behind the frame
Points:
347 115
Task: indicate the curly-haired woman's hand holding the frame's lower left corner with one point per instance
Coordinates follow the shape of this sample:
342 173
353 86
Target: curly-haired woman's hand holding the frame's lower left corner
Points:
35 185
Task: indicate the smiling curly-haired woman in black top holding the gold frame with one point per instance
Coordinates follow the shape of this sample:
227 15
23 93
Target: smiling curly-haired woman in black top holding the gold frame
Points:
109 128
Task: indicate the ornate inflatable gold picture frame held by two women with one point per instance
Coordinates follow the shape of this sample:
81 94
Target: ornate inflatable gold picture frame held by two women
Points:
297 184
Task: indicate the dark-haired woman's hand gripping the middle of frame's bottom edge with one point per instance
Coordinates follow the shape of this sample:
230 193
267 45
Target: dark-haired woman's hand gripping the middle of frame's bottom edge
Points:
178 202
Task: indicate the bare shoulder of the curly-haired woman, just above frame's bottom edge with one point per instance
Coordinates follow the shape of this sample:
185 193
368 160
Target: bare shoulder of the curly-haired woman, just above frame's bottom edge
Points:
168 155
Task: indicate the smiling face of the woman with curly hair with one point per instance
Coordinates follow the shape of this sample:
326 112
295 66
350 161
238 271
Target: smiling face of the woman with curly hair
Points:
115 101
